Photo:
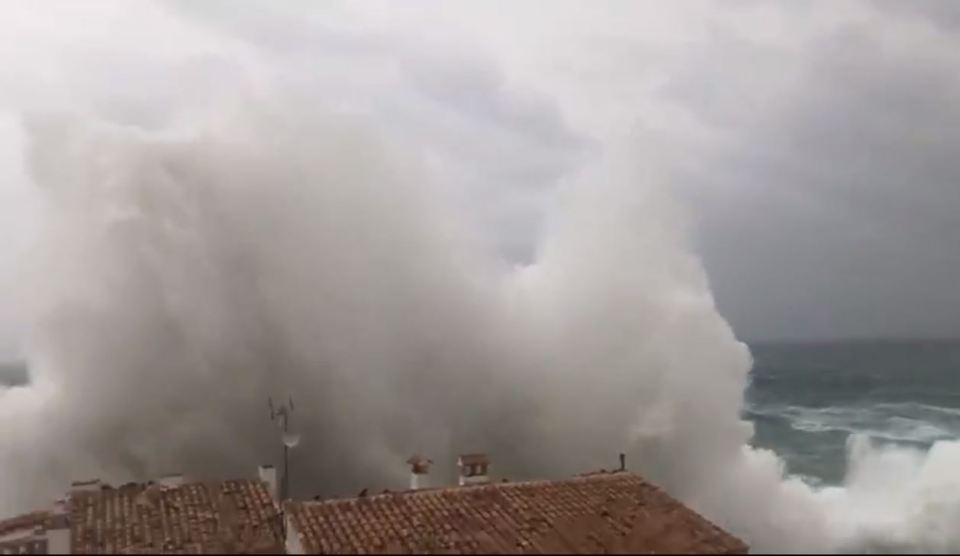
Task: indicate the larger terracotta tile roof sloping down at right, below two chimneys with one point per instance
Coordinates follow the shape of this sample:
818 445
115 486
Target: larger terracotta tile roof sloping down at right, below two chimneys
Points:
609 512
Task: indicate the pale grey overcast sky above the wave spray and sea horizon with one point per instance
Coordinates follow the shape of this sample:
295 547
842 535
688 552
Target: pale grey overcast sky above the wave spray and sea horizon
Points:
814 143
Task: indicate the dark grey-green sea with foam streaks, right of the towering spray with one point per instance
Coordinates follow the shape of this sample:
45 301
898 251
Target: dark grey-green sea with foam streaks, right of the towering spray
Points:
807 399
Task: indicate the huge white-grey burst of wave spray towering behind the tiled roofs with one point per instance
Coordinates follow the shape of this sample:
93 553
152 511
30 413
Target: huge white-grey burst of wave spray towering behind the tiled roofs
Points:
182 273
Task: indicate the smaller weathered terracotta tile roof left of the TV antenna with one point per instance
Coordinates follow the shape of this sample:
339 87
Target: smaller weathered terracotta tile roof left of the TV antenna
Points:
232 516
